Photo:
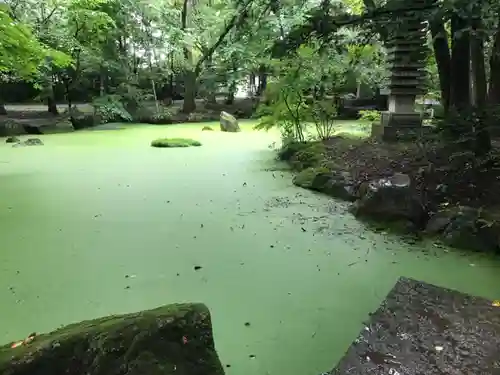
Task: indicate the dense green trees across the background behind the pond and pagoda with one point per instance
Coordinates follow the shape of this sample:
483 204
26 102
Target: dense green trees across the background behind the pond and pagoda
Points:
136 50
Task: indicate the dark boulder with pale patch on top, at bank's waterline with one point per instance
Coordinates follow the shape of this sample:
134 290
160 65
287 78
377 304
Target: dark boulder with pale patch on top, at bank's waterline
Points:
390 199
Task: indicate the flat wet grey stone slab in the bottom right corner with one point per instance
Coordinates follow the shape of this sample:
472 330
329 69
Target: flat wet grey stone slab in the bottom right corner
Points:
424 329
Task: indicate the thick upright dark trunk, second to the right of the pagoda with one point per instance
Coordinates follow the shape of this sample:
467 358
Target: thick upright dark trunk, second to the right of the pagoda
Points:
460 63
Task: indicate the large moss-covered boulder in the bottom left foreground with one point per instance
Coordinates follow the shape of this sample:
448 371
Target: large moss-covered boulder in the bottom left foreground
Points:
174 339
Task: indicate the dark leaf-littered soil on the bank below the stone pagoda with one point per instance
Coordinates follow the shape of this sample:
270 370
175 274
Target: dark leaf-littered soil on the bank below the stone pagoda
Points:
441 173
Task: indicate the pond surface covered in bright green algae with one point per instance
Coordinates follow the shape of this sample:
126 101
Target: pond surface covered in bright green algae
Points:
95 223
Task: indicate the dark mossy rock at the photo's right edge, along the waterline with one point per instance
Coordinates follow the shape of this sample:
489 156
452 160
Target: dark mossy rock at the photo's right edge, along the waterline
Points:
467 228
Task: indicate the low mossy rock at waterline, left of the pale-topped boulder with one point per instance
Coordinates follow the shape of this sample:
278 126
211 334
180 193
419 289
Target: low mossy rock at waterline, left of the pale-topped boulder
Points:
335 184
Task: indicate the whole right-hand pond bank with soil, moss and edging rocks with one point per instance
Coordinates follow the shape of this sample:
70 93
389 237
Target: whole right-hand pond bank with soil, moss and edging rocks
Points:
430 189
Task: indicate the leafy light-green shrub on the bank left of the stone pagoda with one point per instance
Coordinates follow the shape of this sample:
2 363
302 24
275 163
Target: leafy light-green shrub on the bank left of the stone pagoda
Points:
309 71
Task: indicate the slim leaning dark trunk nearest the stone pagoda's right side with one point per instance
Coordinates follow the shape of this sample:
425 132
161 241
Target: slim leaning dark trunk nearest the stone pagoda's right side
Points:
442 55
